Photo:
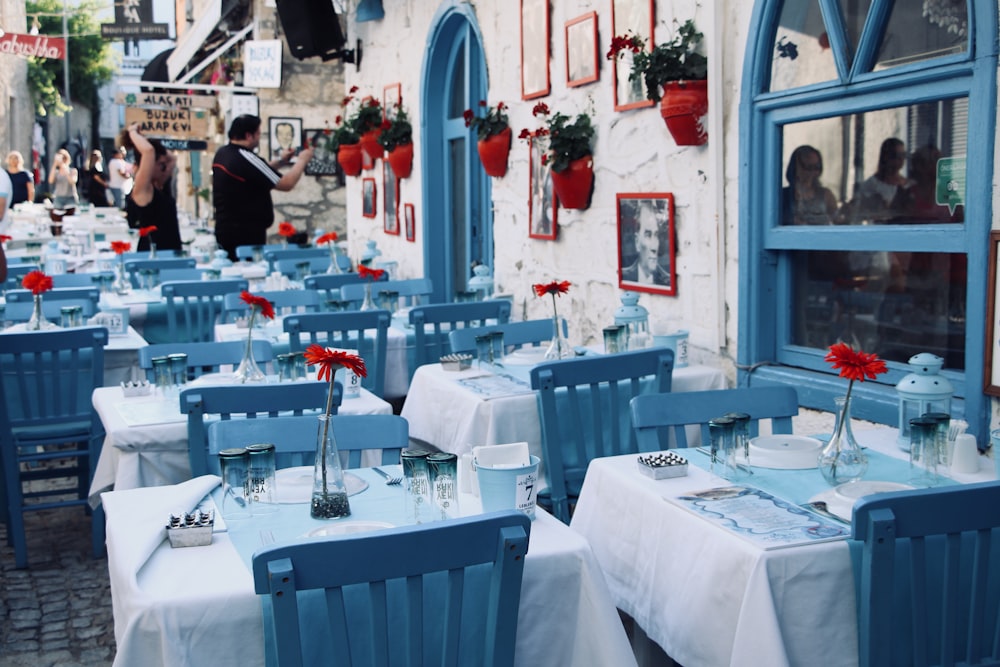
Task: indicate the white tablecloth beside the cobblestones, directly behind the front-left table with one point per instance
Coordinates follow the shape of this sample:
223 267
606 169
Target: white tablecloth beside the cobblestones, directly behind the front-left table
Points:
156 454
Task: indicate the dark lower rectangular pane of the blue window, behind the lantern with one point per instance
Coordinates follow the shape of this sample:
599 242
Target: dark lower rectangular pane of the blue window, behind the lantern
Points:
894 304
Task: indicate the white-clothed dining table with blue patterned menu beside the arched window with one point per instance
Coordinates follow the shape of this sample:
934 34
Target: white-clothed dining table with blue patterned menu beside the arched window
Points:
705 593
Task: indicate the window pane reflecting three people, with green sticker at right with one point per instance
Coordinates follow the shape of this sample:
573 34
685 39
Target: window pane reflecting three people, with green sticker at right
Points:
904 165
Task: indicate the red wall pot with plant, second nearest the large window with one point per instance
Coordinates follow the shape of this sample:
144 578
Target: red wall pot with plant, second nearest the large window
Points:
569 153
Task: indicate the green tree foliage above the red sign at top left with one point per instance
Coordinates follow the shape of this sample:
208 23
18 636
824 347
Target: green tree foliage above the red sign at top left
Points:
91 60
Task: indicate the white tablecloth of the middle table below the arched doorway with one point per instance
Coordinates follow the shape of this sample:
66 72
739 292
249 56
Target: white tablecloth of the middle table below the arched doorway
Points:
448 416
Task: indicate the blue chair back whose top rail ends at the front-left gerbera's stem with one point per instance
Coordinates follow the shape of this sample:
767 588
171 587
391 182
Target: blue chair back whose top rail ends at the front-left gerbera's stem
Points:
254 401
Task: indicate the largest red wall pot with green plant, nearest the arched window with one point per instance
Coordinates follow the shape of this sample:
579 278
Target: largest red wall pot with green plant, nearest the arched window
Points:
680 72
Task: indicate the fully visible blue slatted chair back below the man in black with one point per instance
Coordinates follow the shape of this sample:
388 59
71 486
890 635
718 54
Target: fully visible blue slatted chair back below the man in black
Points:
193 307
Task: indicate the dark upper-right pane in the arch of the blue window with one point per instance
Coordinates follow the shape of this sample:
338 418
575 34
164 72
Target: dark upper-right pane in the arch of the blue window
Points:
922 29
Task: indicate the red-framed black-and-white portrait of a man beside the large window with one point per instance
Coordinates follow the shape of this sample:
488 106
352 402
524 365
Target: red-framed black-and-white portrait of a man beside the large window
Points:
646 251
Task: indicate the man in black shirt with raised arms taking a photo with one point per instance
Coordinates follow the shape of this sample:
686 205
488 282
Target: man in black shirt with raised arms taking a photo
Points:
241 186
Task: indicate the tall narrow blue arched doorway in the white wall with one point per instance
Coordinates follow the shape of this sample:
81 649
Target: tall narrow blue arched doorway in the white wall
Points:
458 218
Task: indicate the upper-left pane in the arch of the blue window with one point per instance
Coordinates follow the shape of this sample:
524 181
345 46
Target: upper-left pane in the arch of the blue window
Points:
801 54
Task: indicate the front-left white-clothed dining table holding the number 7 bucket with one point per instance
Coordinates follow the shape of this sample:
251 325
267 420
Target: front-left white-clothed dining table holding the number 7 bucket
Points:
196 605
